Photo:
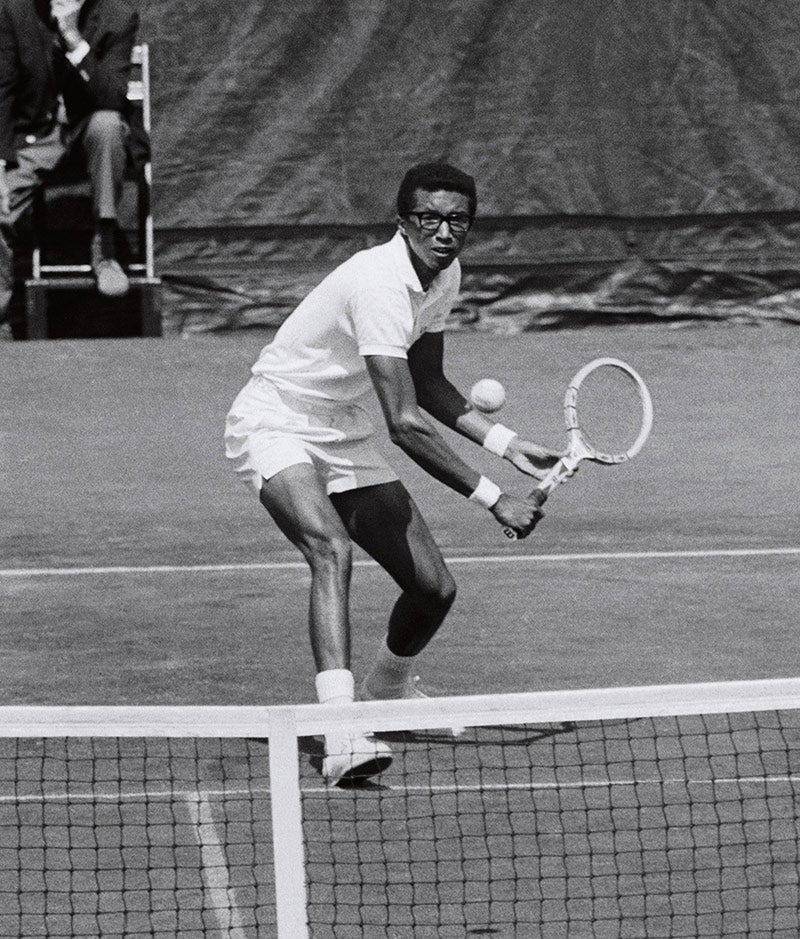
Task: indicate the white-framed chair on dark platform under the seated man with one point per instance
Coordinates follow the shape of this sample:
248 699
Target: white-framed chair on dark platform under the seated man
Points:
48 275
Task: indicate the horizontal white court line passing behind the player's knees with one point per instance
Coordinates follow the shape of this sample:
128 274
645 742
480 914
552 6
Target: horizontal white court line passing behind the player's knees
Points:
473 559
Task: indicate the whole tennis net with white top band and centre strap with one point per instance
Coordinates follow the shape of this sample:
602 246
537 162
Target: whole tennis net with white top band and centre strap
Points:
662 811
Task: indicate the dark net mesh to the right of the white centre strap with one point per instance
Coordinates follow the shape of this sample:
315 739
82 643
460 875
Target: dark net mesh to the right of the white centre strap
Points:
661 827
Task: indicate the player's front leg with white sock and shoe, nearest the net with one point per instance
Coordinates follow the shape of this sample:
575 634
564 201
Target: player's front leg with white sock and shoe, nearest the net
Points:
299 505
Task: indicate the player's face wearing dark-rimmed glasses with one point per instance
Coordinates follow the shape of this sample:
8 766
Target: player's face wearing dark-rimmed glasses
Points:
434 247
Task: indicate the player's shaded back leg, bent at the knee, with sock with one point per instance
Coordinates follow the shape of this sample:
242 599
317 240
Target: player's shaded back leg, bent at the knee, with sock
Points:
386 523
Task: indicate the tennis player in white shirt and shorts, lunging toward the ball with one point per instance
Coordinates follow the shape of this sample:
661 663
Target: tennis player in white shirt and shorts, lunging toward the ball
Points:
299 434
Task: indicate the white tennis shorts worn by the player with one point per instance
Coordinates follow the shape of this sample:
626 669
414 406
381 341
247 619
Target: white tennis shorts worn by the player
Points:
268 430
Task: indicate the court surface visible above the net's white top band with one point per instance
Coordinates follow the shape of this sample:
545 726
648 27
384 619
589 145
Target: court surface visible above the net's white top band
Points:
137 570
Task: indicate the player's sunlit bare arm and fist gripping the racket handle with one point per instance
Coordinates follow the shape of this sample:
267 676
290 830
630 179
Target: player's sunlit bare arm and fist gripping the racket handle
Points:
418 438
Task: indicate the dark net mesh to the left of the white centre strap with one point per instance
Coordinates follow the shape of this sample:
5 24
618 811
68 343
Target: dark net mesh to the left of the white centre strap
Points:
134 837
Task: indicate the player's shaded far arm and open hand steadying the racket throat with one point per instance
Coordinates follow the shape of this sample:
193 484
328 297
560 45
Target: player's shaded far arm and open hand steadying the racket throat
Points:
443 401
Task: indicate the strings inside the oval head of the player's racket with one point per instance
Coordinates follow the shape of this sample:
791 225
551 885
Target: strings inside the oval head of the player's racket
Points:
609 410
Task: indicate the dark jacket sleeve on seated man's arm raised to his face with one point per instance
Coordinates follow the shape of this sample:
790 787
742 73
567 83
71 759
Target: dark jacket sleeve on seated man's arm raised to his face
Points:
105 69
